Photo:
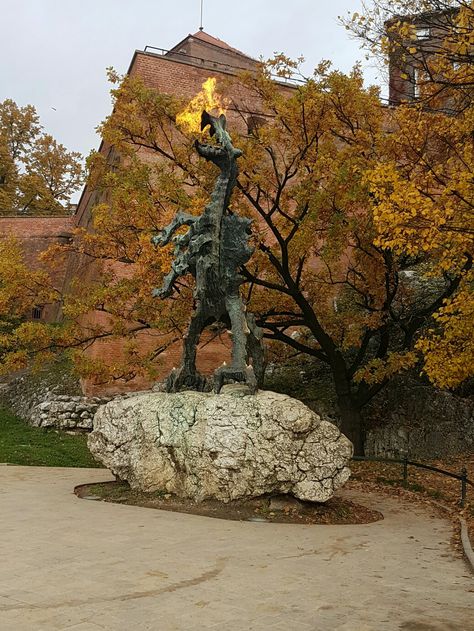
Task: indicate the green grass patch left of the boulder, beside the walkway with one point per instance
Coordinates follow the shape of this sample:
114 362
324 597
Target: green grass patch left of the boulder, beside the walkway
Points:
25 445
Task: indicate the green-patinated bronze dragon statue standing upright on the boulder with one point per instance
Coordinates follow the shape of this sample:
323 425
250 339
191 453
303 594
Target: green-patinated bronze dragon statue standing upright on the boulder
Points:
212 250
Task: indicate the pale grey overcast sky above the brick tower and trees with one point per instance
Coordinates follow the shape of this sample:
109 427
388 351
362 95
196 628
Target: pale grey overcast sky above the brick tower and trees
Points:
54 52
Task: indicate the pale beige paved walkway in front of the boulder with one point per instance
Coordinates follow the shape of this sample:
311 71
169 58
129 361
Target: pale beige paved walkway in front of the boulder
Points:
80 565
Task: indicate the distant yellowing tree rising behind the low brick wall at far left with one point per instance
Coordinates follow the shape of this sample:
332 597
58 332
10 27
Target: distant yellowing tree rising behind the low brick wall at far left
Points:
37 174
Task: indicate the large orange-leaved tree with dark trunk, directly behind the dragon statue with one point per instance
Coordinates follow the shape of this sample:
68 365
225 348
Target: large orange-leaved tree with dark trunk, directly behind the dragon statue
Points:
321 282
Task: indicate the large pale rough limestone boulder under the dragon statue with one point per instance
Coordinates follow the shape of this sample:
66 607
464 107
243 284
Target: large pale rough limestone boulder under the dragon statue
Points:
228 446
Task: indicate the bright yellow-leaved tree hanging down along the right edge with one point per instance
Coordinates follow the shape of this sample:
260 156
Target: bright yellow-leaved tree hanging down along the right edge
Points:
424 189
